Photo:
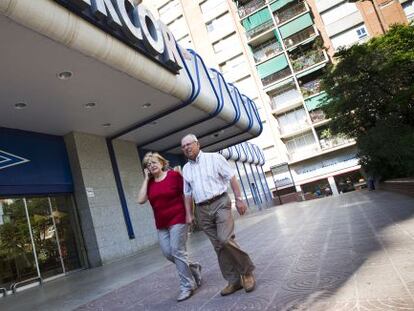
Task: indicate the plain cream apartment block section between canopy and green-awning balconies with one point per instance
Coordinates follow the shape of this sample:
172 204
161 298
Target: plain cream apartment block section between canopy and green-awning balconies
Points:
212 29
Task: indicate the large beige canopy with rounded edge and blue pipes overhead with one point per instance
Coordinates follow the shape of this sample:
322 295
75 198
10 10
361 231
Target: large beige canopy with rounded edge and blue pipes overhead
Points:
110 89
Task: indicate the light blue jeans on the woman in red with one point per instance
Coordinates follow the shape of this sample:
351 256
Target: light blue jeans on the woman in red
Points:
173 245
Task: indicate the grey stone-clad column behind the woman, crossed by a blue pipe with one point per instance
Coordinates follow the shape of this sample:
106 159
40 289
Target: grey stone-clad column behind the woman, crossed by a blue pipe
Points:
101 218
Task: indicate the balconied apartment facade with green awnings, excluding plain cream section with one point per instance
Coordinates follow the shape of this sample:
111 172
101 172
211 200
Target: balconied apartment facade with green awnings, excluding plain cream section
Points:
292 42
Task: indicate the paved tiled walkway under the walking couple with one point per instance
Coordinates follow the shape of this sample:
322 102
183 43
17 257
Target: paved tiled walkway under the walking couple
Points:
350 252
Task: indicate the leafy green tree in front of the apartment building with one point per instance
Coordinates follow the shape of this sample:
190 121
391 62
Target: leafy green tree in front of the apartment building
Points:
371 90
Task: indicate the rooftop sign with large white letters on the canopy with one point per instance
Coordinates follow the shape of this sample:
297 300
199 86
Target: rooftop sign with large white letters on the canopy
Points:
133 24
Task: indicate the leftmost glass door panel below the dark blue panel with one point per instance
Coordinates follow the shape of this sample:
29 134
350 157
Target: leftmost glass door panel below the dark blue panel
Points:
17 256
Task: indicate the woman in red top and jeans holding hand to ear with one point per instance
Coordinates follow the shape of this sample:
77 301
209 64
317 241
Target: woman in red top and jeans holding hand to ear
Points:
164 190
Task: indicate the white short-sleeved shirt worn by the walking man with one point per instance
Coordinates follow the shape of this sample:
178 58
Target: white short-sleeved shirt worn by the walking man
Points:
206 177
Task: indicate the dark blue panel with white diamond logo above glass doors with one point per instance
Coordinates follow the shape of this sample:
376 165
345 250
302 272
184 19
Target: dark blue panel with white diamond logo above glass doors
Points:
33 163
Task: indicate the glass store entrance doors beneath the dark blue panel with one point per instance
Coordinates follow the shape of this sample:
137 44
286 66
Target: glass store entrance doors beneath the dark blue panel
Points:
38 239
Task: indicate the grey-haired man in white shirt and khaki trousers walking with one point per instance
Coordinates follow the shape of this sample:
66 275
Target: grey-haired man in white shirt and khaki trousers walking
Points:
206 177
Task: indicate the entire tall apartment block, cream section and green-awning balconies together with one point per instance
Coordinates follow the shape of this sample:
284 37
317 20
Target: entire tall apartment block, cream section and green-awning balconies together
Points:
276 51
